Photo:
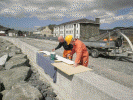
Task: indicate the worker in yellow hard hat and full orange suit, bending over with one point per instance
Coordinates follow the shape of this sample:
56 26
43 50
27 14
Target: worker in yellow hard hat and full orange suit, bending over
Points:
82 55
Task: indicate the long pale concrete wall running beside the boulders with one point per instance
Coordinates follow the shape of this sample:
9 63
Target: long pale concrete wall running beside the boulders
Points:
83 86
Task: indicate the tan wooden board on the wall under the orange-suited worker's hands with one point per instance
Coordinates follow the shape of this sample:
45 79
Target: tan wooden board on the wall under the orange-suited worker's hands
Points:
69 69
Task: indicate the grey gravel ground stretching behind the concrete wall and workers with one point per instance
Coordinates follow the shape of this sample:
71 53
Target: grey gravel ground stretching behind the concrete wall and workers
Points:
119 65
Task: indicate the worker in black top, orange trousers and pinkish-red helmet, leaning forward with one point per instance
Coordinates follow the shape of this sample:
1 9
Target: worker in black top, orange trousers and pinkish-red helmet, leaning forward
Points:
67 48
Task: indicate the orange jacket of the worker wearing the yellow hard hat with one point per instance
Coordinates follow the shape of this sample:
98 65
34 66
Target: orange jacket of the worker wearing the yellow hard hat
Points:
80 49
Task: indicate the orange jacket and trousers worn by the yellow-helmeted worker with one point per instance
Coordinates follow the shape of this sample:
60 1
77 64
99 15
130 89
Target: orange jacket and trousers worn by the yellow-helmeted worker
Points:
82 55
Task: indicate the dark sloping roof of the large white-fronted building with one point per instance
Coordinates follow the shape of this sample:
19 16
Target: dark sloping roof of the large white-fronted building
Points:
84 20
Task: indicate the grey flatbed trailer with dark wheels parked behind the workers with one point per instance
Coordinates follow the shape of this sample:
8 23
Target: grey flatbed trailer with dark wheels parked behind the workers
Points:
102 47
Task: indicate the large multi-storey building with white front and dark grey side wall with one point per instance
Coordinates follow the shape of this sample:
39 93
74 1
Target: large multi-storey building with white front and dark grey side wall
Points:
82 28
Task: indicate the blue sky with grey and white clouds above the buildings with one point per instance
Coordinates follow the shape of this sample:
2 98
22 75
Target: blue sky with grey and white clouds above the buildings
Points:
26 14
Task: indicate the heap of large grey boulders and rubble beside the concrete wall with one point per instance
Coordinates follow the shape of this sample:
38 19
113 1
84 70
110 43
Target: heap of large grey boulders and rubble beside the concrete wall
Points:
18 79
